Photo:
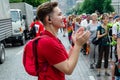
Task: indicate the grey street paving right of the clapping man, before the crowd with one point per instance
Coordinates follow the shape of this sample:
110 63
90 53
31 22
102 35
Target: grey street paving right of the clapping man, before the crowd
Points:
82 71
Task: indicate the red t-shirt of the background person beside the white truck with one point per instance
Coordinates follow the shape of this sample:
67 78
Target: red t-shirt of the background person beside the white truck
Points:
39 27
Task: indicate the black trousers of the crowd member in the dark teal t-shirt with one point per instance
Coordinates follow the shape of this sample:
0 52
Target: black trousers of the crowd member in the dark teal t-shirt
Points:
103 52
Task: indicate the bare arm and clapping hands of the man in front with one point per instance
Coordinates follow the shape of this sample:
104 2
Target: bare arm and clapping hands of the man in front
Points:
68 65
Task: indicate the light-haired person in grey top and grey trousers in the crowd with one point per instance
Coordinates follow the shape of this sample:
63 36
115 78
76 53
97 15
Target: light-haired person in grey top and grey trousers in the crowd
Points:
92 27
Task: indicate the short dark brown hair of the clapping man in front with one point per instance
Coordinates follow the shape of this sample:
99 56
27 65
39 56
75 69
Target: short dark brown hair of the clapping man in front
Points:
44 9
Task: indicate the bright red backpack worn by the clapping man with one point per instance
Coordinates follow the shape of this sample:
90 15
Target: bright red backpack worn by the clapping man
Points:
30 58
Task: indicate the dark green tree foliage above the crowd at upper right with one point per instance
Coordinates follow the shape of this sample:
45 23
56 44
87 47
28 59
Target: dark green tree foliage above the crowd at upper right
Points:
90 6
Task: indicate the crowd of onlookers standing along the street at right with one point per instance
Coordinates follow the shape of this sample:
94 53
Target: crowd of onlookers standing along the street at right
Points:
106 27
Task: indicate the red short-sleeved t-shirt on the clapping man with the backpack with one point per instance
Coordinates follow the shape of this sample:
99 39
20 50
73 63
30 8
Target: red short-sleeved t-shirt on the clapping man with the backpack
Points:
50 52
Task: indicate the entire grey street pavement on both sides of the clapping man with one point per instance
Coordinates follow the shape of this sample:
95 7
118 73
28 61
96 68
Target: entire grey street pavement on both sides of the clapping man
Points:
12 68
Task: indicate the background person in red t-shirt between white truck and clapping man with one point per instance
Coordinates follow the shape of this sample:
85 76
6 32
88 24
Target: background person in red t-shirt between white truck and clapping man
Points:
38 26
